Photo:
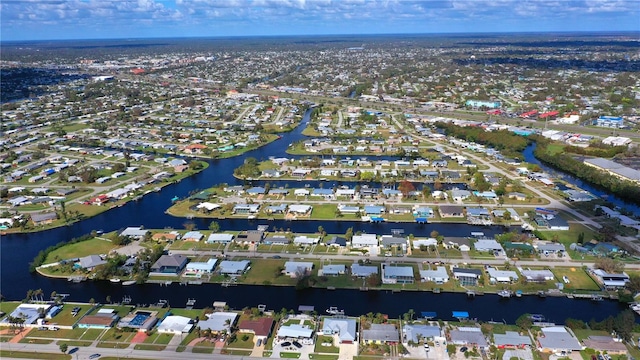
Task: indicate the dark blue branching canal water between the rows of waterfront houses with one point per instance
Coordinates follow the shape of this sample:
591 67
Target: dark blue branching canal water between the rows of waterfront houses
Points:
17 250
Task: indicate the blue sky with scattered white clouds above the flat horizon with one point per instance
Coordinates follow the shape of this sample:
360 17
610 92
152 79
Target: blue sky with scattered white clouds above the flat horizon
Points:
111 19
